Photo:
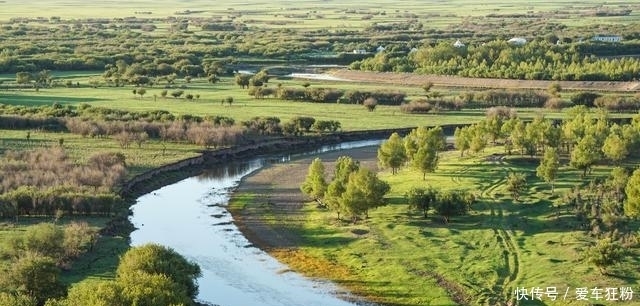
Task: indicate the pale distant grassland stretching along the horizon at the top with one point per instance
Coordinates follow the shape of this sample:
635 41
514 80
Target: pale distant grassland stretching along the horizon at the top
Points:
326 15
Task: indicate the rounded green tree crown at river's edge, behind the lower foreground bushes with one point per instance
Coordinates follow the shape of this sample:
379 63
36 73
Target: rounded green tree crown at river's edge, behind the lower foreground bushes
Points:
160 260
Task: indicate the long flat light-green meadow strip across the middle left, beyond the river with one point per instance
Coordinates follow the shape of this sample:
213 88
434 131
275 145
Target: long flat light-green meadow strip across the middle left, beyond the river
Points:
244 107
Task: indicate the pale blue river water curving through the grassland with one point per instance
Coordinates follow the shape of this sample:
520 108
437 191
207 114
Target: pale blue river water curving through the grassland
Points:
190 216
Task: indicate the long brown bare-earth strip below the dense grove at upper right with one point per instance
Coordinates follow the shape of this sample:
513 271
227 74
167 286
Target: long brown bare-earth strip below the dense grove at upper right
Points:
455 81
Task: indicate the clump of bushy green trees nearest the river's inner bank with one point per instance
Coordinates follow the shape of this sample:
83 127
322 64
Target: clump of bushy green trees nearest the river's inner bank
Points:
352 191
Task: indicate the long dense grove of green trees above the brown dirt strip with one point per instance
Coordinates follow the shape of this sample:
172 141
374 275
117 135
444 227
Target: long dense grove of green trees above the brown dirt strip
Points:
537 60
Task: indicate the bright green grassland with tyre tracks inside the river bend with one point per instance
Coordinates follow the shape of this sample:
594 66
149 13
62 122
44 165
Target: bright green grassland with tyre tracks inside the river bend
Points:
400 258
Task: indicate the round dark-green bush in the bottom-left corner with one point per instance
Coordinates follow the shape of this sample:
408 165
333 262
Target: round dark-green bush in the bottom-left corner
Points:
34 275
